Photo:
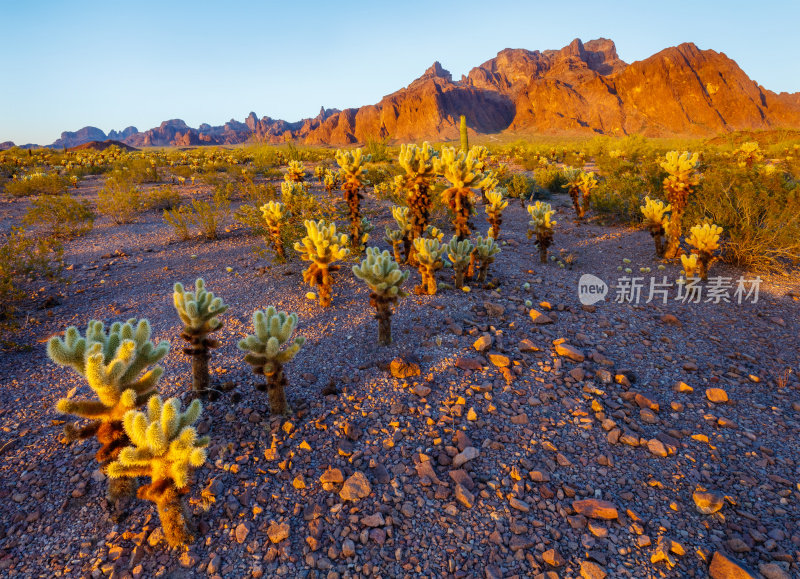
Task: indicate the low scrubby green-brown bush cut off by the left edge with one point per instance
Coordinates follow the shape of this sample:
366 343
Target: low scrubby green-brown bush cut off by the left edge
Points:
23 258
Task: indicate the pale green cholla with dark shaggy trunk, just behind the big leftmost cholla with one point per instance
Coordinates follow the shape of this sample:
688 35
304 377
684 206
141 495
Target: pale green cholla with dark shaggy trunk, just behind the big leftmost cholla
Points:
198 311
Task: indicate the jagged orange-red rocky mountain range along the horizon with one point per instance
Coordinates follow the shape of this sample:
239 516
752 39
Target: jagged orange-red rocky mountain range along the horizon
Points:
581 88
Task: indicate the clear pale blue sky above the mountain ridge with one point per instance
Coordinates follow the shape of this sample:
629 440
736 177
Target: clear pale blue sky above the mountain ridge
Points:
110 64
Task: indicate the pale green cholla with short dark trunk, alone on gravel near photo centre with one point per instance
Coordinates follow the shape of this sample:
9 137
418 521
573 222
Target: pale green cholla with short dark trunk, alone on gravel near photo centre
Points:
384 277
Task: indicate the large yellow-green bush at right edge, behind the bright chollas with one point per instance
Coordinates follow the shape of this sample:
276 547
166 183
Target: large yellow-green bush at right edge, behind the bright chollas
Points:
759 211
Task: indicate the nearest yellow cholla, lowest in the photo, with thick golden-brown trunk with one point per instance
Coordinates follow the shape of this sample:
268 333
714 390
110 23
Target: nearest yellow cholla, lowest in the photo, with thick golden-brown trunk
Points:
165 448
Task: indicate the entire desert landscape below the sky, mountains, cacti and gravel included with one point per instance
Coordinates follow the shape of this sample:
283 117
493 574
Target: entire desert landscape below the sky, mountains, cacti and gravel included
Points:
538 322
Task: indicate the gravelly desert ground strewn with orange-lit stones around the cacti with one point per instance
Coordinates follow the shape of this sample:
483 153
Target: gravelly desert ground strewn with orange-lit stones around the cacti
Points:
619 440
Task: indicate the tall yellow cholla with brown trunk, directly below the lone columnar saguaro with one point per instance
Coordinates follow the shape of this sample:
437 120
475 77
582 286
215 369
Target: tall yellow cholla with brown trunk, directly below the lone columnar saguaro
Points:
463 172
